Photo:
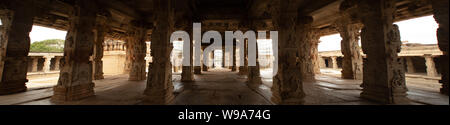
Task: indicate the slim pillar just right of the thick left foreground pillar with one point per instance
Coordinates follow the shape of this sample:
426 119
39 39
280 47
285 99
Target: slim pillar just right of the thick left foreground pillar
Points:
100 32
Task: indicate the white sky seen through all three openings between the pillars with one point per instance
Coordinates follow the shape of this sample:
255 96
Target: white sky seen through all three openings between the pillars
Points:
419 30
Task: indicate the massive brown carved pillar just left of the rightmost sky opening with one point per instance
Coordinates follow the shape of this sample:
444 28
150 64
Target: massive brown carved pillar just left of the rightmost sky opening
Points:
384 76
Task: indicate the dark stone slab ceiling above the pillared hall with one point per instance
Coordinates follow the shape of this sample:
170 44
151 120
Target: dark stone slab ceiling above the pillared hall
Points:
221 12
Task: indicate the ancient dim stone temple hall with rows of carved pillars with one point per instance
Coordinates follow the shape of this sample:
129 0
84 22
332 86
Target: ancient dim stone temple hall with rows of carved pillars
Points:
101 31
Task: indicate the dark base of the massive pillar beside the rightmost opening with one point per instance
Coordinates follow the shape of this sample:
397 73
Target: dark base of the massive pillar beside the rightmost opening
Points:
379 95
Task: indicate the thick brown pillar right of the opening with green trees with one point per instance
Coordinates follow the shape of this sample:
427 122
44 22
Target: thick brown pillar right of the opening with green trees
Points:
75 79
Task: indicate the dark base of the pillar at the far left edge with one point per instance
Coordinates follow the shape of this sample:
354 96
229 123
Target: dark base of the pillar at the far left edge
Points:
12 87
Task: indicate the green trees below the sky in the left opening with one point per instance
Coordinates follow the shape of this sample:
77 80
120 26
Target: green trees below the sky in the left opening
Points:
50 45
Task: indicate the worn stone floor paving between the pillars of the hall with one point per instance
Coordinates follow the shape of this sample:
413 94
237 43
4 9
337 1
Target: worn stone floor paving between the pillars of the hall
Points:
222 87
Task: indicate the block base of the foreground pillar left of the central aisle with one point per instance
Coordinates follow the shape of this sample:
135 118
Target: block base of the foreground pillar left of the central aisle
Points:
158 97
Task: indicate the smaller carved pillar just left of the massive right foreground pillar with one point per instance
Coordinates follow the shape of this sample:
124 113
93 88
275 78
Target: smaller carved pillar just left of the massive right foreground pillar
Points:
352 61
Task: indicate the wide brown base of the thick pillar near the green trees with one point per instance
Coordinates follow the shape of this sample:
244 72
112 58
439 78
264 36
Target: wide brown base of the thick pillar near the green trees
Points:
74 93
